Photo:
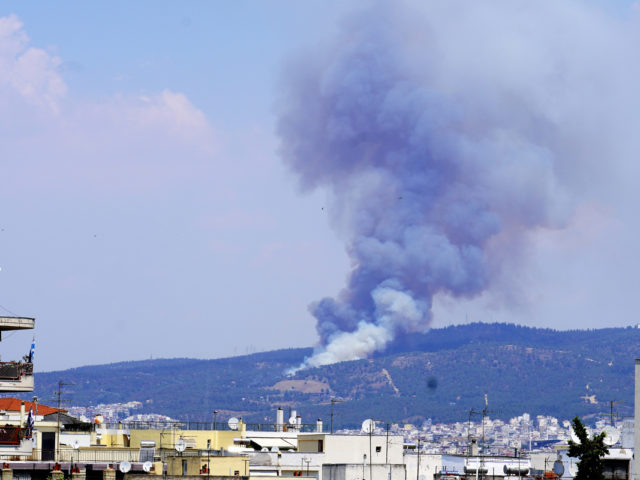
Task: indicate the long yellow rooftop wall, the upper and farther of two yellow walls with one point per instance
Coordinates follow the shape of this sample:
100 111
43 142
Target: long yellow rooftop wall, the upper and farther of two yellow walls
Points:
168 438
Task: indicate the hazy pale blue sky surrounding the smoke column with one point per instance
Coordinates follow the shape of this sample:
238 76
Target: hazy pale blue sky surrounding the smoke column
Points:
145 210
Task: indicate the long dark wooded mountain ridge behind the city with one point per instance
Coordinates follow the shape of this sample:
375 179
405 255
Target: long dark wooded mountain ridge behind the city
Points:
439 375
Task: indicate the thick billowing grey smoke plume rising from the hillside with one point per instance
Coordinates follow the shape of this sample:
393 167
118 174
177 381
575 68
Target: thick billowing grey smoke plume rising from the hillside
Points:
443 136
